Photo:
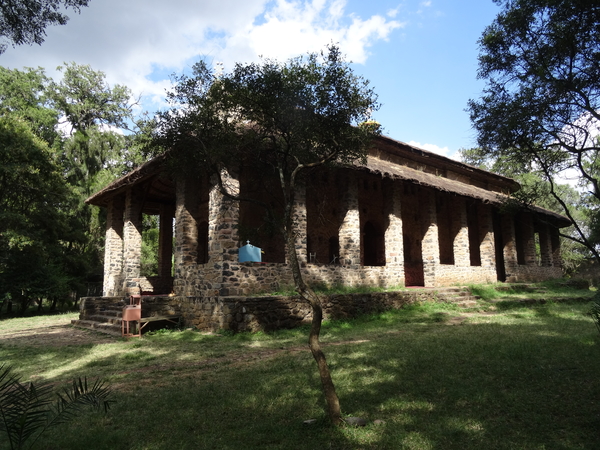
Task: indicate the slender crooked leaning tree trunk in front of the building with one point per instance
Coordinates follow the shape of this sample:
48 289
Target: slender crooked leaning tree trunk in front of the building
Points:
333 403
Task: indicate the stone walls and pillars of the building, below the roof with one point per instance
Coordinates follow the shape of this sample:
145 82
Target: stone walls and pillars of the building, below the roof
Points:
352 228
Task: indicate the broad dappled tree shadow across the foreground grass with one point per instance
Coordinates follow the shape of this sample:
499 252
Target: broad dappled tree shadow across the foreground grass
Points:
529 385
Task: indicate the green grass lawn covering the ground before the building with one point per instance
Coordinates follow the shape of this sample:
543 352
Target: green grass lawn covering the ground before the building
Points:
504 374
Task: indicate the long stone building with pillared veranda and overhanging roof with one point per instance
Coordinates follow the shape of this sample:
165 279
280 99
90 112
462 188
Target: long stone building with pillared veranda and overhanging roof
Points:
407 217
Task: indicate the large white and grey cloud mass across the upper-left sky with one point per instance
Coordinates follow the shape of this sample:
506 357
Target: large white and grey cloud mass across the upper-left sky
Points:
140 42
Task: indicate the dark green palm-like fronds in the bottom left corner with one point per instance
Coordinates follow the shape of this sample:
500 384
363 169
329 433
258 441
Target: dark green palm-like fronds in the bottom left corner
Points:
28 410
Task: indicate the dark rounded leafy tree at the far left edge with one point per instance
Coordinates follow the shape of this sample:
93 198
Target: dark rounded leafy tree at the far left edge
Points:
35 205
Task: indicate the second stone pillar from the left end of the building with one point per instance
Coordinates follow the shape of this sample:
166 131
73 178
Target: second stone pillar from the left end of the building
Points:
132 242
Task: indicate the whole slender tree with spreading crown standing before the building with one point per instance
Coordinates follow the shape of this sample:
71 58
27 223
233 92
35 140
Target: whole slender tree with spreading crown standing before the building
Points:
283 120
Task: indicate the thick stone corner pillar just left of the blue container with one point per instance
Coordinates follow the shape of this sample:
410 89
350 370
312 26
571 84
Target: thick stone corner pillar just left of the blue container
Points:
223 234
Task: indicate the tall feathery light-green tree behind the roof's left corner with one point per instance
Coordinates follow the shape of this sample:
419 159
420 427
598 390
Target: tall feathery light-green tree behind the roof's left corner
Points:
93 151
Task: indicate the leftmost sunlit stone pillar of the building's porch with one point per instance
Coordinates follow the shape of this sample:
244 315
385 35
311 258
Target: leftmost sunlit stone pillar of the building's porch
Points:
113 249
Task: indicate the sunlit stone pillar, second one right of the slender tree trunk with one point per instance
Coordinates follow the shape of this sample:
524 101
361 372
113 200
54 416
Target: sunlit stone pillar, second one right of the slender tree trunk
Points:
350 228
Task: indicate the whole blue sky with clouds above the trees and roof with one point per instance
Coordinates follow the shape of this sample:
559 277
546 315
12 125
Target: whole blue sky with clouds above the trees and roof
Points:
420 56
